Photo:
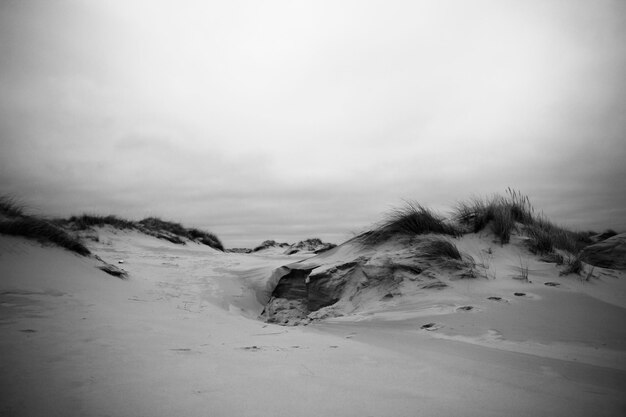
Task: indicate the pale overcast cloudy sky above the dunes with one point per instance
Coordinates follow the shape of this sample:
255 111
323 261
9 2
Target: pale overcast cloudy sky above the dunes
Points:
293 119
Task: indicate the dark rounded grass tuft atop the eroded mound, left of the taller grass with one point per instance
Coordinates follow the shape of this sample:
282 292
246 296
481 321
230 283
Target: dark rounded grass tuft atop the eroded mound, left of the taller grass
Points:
410 220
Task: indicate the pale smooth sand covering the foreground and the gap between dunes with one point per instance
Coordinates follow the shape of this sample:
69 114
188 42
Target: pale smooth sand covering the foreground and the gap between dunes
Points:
179 337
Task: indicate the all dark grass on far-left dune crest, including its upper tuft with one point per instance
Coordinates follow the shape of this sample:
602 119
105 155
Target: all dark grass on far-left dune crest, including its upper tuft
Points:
17 223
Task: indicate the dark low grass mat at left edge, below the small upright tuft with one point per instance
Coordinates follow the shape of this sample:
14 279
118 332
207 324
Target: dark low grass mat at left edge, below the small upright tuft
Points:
42 231
